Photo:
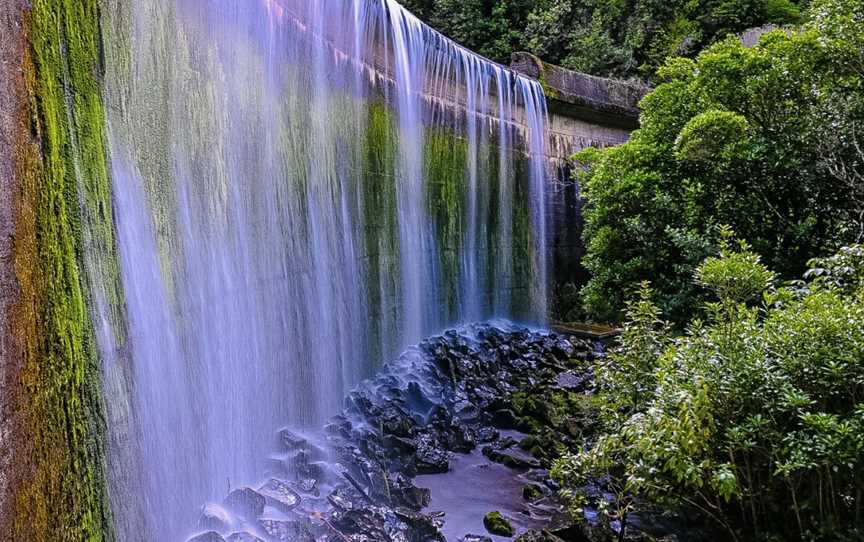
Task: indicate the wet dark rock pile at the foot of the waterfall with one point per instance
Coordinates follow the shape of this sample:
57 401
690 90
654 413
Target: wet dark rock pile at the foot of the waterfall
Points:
354 481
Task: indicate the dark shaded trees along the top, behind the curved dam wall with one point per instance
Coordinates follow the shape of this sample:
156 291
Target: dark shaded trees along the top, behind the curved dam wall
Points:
603 37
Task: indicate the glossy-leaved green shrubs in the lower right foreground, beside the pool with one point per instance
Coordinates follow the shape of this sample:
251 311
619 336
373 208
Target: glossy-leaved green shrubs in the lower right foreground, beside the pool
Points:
754 417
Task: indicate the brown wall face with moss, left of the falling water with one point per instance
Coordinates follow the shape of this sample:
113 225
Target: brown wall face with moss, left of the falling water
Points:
54 203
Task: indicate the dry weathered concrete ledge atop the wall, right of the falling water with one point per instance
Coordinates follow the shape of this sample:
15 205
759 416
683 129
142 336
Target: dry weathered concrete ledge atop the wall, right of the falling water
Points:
611 102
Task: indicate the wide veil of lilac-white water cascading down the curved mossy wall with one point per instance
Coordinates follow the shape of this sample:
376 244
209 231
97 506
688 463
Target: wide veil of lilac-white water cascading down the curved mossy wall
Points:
302 188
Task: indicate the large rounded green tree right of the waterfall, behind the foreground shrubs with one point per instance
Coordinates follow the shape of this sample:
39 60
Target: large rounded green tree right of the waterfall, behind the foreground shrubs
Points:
767 139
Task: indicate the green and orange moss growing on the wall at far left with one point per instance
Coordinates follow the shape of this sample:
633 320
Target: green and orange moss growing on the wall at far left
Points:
63 495
